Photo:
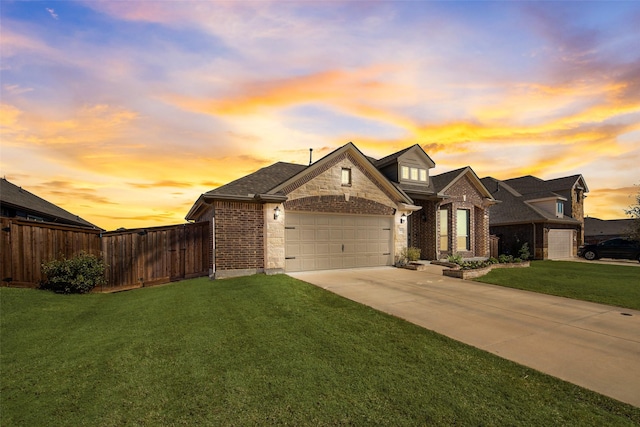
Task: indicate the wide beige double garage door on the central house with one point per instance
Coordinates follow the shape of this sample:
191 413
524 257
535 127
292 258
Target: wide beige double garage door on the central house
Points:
323 241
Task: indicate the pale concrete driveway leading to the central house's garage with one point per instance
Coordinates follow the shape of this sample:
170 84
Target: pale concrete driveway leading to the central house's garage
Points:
592 345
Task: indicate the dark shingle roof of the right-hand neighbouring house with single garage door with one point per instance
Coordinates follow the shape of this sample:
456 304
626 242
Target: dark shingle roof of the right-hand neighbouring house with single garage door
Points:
516 207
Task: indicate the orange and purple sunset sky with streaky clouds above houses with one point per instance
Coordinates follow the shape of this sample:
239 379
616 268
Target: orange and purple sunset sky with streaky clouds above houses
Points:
125 112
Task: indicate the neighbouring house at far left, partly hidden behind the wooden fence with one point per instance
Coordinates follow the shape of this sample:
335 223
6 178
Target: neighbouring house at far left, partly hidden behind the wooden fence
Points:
16 202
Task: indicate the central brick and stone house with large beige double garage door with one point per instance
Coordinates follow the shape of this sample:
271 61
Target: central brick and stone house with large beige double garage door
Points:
345 210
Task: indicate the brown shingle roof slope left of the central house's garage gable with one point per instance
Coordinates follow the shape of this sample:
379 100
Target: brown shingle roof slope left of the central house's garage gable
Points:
260 181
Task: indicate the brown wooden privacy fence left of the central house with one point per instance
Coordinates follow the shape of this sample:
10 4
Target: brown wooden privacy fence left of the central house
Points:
134 258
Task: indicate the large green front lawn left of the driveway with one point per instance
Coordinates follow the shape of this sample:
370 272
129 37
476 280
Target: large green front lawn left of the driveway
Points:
263 350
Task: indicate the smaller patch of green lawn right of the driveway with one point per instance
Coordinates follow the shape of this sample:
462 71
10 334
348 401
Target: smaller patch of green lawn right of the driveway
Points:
617 285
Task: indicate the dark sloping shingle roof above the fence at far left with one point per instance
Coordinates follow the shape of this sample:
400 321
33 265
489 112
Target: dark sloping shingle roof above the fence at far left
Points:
19 198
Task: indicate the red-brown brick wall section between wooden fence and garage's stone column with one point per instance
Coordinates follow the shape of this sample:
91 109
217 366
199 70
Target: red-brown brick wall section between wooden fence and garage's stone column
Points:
239 234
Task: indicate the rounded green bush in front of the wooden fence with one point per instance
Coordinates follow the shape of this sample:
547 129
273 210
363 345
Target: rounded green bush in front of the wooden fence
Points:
76 275
